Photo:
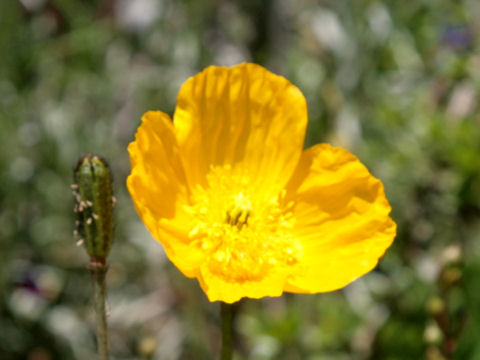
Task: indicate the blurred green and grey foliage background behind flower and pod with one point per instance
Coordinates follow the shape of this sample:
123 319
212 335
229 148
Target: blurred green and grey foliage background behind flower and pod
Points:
397 83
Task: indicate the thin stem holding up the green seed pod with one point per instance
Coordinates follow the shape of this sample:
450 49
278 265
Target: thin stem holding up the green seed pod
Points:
99 271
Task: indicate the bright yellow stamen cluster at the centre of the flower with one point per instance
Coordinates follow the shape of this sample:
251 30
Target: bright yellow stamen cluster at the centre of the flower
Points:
244 231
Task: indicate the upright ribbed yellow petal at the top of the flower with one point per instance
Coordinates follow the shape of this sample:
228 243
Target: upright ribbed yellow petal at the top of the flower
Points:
242 116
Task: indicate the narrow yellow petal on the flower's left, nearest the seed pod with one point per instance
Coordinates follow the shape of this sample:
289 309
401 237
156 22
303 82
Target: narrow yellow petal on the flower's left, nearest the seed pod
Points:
159 190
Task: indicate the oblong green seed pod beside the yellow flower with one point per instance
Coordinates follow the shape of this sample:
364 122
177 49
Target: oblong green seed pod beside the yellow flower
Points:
93 205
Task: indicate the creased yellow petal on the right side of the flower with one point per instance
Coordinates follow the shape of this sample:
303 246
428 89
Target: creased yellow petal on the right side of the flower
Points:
342 220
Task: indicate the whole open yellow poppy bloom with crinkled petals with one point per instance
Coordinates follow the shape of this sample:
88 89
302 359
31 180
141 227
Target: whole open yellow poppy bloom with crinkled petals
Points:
237 204
